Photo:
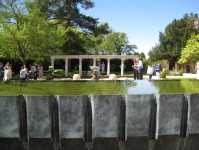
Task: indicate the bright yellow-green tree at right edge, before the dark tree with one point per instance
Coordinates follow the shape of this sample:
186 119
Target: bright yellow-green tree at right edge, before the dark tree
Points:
190 54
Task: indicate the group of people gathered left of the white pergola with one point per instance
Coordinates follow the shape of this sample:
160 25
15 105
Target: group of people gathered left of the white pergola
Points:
35 72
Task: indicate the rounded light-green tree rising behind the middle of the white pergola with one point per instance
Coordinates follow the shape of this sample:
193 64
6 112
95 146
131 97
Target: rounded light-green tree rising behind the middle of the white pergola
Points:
116 43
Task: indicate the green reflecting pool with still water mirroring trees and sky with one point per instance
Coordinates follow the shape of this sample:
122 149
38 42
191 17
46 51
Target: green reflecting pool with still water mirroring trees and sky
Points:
99 87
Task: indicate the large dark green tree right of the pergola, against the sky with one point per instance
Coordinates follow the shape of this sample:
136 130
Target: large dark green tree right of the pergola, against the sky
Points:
173 40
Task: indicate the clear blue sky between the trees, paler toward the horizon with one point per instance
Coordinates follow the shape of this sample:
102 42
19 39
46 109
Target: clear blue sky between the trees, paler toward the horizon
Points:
141 20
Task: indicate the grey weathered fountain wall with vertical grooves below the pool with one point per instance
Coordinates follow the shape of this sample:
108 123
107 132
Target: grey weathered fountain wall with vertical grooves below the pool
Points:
100 122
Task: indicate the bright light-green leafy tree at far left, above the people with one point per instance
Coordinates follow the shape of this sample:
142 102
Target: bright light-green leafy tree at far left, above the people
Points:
25 33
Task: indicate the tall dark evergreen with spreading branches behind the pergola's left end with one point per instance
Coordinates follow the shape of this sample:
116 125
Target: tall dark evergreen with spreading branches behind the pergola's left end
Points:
68 13
